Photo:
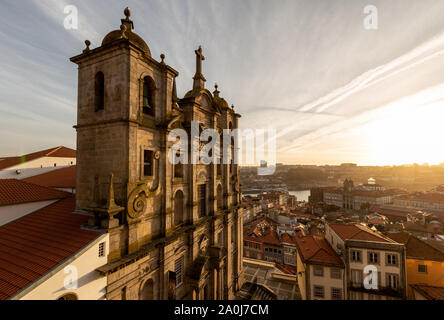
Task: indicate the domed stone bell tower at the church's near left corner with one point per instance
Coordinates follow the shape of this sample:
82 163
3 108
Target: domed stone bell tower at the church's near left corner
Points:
125 98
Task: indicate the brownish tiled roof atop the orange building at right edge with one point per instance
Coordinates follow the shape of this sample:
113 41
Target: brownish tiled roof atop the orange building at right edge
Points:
416 248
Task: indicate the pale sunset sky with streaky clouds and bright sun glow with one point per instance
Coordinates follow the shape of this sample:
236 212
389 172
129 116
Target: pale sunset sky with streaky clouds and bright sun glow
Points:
334 91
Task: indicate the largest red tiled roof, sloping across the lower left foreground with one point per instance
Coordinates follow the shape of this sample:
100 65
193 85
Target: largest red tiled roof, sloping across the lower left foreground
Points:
32 246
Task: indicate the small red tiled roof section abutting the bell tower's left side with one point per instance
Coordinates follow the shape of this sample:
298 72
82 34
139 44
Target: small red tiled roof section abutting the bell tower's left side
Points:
60 178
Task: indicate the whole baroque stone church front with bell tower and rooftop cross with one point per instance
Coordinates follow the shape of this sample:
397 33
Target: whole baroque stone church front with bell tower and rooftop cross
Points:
175 230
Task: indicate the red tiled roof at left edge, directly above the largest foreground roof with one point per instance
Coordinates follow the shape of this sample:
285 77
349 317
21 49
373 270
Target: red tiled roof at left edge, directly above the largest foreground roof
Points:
13 191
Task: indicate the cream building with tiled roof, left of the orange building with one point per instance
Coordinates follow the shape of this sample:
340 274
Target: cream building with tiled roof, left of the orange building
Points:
360 247
